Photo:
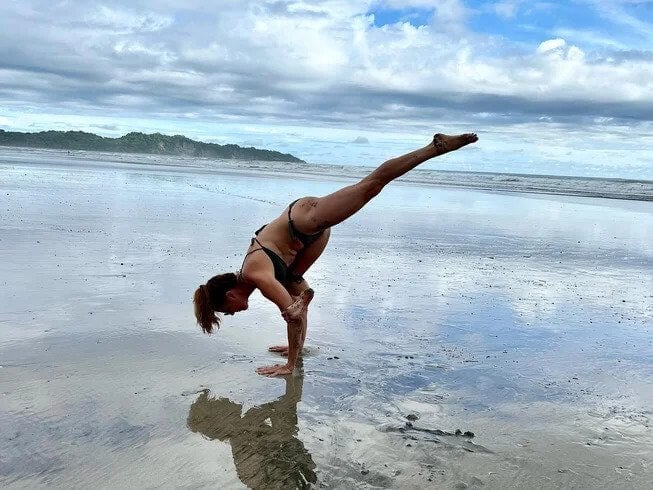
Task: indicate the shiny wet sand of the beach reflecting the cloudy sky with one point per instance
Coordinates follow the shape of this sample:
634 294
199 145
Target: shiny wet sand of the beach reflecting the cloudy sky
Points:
457 339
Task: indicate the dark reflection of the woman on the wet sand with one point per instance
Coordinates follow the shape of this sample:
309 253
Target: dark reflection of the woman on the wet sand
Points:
266 451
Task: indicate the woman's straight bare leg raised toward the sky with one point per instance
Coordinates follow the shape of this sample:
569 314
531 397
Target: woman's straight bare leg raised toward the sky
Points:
317 213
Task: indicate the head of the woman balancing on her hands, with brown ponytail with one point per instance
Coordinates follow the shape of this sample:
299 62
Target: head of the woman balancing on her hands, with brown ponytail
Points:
217 296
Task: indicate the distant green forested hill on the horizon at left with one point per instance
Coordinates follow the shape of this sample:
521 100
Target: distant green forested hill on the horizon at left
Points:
158 144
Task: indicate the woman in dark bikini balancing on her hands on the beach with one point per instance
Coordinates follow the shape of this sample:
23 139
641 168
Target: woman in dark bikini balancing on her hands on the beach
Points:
284 249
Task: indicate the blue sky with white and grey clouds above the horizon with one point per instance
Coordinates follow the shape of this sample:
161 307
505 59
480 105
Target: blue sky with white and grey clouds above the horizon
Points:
551 87
